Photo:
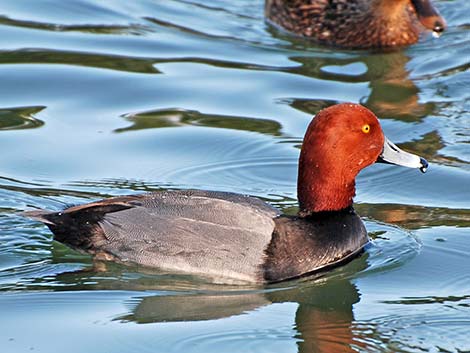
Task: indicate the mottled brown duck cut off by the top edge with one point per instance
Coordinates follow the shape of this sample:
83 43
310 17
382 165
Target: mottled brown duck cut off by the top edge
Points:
356 24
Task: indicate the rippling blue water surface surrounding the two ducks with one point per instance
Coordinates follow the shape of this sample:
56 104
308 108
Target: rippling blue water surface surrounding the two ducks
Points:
110 98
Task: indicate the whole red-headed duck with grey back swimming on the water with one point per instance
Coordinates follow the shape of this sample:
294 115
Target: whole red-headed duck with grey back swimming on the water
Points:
236 238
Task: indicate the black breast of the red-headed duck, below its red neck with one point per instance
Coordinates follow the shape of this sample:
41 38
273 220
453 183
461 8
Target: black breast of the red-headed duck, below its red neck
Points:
302 246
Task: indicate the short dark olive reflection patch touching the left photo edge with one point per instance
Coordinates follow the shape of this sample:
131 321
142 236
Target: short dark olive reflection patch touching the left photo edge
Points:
20 118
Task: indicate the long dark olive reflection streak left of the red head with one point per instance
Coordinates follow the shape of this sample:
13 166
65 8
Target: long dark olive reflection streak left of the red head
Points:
181 117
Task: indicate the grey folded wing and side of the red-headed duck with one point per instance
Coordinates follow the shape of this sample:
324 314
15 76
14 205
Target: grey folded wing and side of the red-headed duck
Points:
221 235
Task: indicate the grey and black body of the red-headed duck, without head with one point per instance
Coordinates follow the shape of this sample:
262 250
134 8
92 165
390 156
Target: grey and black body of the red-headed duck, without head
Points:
224 236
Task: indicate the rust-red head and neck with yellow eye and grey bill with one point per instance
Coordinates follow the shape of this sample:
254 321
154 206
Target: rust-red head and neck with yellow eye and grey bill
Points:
340 141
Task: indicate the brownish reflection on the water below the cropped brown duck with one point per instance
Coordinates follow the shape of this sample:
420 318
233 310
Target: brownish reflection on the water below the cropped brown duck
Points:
393 94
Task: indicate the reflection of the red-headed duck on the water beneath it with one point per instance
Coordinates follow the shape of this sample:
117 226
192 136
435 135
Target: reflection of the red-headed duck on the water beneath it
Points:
324 318
